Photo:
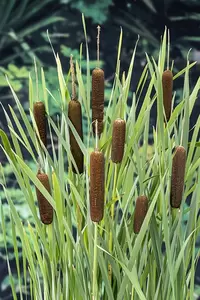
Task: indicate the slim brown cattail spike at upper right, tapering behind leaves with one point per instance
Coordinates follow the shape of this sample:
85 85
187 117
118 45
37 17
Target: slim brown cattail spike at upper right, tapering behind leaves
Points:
167 84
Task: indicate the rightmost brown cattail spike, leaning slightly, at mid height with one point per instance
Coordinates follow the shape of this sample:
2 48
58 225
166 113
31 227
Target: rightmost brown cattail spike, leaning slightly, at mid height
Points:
177 179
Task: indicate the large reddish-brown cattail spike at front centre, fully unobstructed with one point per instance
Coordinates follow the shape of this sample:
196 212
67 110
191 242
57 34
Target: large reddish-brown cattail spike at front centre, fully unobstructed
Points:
97 188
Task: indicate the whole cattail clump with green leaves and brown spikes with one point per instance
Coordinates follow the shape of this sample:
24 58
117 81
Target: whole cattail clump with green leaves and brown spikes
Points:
78 257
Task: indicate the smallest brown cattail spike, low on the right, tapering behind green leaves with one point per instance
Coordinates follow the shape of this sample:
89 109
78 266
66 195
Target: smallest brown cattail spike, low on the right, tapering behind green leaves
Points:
141 209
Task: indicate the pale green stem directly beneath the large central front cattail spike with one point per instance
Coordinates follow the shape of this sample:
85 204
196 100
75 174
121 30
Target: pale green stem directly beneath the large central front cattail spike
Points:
94 279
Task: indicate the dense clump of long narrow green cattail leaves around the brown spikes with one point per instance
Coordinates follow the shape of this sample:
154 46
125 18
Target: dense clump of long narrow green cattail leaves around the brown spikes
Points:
75 258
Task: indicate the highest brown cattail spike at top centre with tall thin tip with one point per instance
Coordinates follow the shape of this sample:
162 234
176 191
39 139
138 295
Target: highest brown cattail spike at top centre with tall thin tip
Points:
98 99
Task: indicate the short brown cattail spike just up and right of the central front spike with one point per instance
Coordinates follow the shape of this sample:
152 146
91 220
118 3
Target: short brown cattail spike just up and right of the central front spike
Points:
118 140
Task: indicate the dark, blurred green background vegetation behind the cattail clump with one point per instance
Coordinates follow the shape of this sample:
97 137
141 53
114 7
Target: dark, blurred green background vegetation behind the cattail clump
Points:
23 27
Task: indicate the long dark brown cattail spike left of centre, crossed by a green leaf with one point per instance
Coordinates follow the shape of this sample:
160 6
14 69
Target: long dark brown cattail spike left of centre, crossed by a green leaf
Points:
75 116
